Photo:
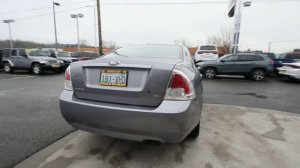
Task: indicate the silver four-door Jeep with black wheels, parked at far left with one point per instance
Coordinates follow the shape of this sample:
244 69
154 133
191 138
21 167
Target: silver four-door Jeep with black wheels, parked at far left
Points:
33 60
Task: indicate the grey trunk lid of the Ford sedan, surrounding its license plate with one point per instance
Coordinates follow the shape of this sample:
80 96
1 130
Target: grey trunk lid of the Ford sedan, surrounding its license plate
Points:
146 81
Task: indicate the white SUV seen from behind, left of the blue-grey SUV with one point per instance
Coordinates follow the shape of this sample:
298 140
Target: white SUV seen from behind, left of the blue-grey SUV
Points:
206 53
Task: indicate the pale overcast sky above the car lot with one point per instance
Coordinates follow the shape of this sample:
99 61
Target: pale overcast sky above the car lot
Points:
266 20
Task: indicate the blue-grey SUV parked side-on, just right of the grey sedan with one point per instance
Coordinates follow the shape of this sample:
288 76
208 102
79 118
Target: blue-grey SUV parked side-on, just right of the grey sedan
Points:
252 66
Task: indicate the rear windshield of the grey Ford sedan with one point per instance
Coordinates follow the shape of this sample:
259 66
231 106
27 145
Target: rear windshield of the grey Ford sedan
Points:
148 51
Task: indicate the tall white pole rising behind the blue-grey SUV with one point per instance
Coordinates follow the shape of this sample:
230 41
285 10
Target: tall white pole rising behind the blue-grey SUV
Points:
237 22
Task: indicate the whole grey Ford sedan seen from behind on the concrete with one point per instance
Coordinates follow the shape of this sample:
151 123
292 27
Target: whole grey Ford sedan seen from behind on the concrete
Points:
139 92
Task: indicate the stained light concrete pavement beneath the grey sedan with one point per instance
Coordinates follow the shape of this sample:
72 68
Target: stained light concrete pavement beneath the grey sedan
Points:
230 136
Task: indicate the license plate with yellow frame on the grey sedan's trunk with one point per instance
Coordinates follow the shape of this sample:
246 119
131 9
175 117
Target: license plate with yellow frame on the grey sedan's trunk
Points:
112 77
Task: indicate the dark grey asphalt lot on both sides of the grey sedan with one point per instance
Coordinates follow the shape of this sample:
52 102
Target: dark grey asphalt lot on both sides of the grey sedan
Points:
30 119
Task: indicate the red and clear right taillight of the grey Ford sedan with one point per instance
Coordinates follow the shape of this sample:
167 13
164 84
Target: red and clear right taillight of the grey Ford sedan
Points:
180 87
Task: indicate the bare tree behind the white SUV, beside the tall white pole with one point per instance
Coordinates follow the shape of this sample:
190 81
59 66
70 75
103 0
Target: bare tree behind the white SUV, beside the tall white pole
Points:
223 40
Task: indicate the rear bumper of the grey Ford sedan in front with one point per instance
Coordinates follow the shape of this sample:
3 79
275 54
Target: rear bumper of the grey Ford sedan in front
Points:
170 122
